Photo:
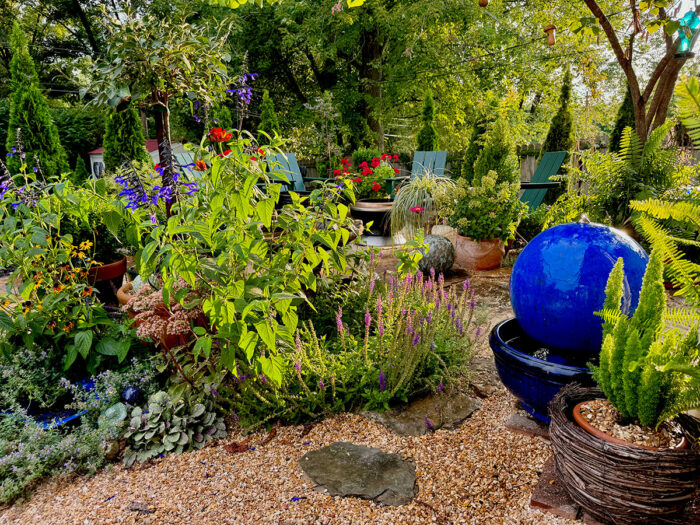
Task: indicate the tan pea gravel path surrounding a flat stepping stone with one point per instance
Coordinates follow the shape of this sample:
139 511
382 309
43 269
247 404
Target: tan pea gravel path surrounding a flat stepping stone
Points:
479 473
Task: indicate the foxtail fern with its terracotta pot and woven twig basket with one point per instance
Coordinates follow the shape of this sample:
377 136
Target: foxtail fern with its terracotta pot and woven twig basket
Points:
625 452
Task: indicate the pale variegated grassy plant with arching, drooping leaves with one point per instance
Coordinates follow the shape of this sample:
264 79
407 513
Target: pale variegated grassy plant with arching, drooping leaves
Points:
414 205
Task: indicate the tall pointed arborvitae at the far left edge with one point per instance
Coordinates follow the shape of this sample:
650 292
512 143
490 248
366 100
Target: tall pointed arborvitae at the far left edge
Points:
29 112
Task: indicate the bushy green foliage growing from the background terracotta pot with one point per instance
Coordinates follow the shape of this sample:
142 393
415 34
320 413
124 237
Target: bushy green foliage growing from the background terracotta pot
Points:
488 210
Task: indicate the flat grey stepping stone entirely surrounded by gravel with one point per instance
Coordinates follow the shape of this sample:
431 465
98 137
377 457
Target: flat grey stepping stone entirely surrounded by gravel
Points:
346 469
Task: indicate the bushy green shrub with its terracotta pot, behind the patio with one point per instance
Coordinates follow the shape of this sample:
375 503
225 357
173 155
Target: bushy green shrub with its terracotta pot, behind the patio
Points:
485 216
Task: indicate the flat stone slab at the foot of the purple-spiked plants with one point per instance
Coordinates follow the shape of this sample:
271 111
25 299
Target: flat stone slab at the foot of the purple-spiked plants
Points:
446 411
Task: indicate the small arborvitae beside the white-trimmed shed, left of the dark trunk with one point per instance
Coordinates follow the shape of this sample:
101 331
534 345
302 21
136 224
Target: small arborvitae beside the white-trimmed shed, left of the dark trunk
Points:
123 139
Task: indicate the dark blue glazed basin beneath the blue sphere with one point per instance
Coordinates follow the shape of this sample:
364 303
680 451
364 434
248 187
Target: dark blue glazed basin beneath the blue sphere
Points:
533 380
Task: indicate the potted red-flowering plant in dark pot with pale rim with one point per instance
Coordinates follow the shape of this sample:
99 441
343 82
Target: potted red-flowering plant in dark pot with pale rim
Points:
372 183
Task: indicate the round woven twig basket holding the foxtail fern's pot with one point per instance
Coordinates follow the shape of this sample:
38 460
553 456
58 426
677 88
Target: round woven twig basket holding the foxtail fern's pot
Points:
622 484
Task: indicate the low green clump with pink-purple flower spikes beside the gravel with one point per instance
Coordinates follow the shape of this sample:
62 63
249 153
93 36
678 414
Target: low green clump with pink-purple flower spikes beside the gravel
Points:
409 343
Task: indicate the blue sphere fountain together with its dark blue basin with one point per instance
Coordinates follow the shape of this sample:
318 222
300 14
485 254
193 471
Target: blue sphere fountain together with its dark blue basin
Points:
557 285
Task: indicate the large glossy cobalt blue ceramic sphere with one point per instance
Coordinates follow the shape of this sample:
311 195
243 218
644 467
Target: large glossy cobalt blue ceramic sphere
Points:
559 279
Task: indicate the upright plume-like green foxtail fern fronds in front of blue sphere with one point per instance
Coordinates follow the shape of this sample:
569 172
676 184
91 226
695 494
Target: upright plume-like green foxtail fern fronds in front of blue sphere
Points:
641 366
